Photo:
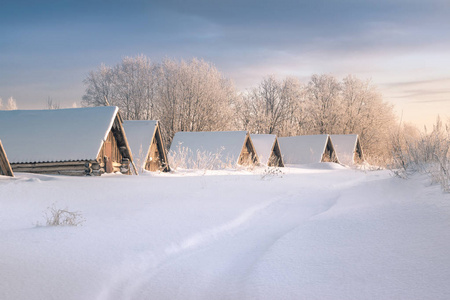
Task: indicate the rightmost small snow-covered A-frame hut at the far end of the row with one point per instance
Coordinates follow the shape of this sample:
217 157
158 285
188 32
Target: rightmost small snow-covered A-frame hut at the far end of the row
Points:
348 148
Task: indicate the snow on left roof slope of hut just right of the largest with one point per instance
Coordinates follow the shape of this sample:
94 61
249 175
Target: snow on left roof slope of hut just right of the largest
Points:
140 135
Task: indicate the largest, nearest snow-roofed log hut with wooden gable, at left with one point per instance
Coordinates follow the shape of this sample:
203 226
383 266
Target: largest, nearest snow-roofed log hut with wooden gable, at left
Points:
74 141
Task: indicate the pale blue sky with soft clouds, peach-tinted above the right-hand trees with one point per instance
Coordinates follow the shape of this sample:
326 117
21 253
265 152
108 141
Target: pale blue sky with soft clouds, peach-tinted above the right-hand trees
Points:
47 47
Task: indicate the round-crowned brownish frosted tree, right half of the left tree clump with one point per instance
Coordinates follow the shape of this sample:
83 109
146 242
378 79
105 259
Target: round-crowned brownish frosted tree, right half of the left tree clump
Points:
193 96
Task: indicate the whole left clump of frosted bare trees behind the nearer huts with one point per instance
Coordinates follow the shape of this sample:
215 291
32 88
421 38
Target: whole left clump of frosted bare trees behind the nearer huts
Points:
183 95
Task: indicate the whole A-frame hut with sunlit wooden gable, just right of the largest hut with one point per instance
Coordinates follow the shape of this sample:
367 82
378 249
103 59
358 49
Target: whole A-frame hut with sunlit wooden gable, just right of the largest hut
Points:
144 138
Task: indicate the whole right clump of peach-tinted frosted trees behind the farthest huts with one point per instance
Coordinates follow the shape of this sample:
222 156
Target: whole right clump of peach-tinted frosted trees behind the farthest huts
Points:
324 105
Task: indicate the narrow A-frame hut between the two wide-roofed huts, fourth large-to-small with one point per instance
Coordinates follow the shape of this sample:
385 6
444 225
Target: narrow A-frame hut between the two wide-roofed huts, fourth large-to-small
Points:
267 149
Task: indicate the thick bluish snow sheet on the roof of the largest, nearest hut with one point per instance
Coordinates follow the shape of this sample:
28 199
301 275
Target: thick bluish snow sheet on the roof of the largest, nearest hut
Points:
55 135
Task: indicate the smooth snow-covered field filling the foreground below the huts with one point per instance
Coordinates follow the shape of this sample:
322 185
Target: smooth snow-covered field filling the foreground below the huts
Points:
317 232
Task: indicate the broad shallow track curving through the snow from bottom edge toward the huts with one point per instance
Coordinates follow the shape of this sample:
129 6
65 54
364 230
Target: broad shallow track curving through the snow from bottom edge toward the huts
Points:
191 268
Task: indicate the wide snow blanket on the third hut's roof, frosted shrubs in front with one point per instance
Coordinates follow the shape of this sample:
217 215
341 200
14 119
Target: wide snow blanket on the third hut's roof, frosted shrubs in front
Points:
226 145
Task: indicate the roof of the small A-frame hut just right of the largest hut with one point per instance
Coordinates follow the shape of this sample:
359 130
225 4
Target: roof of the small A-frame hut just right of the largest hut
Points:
140 135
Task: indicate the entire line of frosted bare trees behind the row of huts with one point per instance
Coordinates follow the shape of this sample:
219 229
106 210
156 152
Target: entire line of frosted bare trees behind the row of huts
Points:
195 96
